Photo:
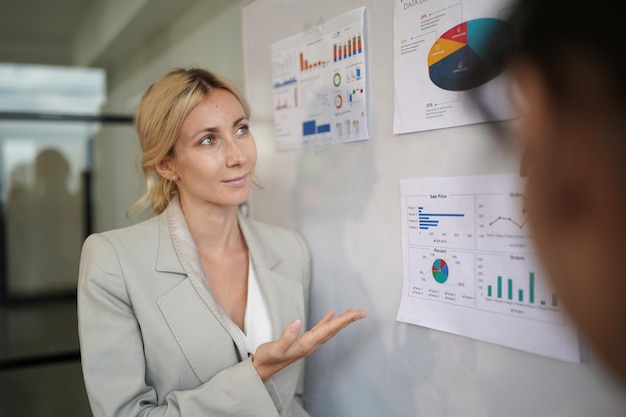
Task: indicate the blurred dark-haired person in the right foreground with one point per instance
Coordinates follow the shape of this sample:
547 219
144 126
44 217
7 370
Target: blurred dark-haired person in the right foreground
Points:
568 69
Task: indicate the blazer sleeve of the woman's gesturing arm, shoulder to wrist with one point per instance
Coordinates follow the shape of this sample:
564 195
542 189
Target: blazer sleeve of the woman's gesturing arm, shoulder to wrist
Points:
113 359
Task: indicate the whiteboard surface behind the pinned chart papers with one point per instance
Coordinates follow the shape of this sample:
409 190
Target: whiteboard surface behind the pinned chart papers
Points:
345 200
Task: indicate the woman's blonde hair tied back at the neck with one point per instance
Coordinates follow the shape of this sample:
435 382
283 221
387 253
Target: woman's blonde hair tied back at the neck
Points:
161 112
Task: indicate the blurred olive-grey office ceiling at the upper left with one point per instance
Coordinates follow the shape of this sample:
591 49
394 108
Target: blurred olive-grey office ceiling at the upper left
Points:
54 32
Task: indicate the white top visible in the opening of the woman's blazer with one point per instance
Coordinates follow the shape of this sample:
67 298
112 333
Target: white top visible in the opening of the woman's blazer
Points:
257 321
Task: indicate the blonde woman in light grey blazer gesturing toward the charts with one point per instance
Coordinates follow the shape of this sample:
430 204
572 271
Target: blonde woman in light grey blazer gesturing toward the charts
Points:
197 311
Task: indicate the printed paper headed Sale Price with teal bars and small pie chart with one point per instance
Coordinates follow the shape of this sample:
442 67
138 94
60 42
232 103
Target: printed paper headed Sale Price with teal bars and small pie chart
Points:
470 268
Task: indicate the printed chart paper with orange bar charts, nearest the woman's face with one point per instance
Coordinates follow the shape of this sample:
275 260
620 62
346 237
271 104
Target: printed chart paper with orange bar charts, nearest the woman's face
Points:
320 84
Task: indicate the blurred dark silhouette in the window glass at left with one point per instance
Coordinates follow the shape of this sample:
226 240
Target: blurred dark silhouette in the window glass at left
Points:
45 227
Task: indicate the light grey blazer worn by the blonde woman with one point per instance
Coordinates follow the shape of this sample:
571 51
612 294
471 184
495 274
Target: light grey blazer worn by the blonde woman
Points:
154 341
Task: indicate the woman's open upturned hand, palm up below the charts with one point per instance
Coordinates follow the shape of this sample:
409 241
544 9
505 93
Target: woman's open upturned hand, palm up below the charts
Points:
271 357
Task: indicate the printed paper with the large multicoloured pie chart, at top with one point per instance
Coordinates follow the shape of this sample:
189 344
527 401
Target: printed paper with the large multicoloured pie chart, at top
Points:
443 63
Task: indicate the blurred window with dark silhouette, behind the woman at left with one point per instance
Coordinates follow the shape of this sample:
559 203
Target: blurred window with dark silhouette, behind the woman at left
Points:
48 116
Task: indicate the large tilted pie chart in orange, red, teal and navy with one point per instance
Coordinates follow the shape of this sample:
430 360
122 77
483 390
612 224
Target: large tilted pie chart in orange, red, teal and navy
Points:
467 55
